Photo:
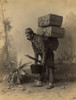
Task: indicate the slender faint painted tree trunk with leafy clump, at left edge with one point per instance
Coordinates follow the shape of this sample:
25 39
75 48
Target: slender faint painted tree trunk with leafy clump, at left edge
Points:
6 26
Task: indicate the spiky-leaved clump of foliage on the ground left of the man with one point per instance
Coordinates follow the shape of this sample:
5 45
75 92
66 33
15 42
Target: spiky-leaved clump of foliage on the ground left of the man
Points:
17 74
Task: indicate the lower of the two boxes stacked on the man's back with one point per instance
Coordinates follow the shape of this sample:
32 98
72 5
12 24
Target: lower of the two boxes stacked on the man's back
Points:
57 32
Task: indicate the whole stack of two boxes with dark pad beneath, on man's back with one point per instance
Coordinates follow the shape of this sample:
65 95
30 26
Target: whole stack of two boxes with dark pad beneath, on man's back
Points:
50 26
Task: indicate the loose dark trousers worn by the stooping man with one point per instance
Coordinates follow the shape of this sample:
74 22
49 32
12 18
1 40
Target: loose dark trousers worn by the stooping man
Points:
49 69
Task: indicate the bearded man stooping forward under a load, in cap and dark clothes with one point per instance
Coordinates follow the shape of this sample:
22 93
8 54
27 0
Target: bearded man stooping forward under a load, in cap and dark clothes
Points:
41 47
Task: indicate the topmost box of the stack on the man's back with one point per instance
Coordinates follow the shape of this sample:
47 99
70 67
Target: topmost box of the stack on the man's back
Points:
50 20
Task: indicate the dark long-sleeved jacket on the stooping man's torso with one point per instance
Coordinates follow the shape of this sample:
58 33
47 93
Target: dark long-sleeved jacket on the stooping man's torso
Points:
41 47
